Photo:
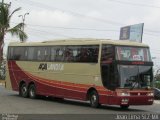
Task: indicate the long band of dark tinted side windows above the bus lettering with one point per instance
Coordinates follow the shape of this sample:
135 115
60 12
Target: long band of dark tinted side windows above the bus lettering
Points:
80 53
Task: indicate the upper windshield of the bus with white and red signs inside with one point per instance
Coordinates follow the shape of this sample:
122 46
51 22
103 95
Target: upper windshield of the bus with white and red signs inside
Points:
128 53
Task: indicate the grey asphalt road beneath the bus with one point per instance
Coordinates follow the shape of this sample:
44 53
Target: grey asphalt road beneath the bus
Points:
11 103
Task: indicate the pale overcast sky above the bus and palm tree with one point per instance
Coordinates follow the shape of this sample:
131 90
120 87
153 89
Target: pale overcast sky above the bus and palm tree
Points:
52 19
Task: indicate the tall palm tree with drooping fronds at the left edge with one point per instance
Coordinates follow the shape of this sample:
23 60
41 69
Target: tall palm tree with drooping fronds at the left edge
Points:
5 18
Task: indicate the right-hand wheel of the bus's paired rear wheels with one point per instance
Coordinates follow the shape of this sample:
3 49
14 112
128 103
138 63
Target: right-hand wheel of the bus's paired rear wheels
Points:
32 91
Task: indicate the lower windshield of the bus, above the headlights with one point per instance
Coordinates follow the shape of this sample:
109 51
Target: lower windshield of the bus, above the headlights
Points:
131 76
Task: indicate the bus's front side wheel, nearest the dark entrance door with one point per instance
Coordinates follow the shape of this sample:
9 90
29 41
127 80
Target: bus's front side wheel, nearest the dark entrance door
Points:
94 99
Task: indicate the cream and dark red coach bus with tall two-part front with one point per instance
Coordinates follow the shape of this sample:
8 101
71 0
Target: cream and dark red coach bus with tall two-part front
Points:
110 72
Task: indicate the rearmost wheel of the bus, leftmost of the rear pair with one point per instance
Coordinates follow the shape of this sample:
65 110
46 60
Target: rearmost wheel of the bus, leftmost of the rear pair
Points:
23 91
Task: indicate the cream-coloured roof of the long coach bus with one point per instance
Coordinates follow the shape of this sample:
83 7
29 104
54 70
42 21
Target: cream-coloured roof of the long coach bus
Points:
84 41
